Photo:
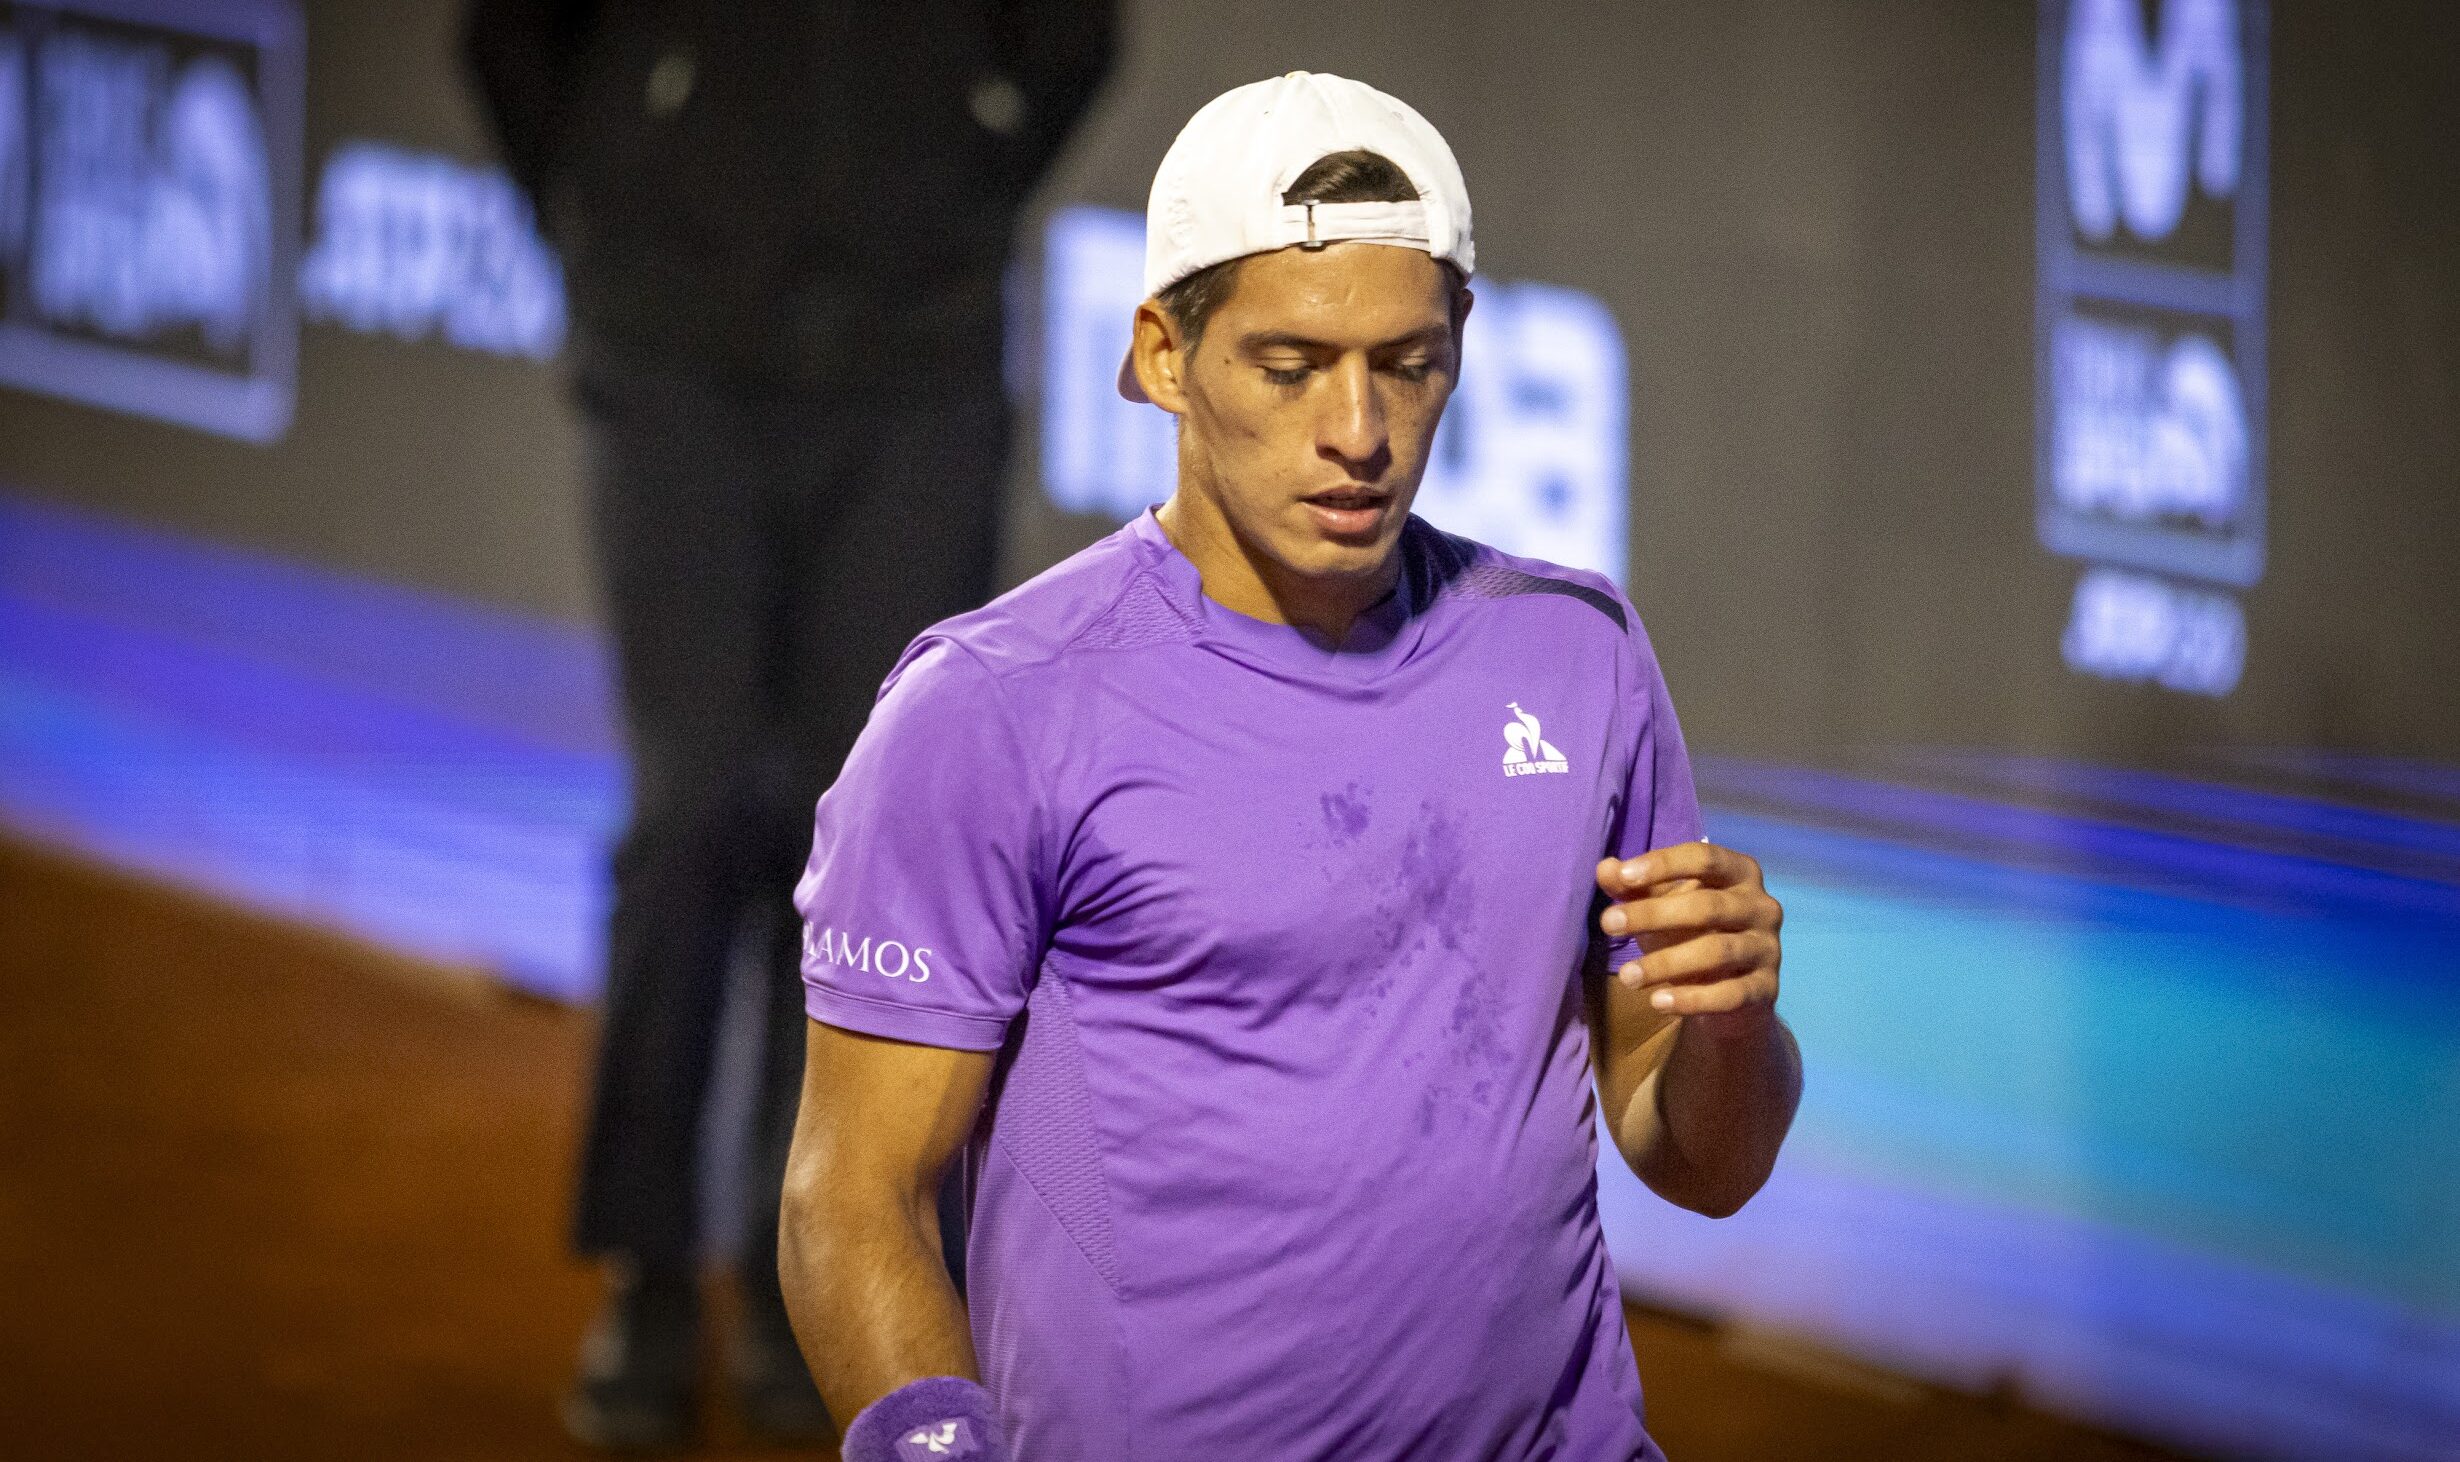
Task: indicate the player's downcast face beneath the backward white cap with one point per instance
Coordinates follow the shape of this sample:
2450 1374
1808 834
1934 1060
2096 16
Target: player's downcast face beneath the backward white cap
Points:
1312 397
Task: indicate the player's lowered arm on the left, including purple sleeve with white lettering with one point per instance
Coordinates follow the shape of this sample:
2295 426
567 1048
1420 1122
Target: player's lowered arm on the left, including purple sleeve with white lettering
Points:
926 917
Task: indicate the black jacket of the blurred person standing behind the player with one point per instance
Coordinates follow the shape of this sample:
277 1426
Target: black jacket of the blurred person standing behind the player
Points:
806 193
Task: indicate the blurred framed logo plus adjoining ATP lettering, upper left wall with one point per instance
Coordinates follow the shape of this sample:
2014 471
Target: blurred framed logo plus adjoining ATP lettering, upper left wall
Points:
151 220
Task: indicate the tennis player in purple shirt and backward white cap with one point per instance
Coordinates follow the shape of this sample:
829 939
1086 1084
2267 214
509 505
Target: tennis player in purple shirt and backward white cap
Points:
1258 897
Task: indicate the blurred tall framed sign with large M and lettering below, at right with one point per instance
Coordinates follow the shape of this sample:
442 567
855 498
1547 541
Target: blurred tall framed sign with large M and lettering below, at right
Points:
2151 331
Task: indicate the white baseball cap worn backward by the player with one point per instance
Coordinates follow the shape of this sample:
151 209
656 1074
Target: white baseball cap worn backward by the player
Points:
1219 188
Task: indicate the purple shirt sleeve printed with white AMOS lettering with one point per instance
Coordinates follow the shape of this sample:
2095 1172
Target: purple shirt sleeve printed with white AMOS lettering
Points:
924 907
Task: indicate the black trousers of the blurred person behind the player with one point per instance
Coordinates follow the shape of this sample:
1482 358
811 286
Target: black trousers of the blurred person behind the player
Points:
764 560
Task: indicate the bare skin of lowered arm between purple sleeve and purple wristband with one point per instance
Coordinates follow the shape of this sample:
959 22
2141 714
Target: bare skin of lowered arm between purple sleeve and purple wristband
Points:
860 1227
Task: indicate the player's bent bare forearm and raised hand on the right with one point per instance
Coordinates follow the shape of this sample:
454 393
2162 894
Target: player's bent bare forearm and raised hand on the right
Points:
1696 1074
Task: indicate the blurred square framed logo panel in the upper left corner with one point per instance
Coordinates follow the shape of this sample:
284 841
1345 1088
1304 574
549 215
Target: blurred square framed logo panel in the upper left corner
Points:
149 186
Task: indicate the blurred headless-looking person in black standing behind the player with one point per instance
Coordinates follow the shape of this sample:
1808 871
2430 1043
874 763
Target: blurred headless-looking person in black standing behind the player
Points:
784 233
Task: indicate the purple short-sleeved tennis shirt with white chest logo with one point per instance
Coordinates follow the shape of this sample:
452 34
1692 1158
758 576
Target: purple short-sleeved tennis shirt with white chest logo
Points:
1293 1148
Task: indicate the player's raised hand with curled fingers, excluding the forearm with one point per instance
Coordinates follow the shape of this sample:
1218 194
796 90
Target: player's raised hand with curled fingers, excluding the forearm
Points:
1708 934
